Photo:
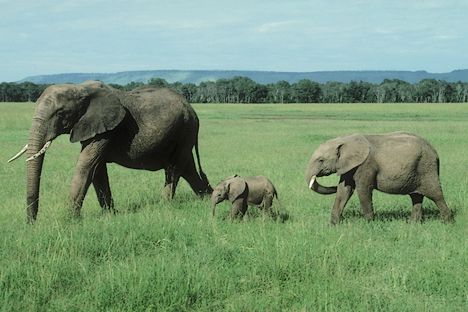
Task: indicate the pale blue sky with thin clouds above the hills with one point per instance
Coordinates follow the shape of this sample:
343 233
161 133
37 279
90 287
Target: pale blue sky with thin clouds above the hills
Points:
50 37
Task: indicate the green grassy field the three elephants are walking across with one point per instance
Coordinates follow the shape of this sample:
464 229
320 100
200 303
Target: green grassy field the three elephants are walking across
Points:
172 256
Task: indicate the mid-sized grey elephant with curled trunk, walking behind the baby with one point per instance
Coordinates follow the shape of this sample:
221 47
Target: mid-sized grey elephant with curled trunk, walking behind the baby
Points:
394 163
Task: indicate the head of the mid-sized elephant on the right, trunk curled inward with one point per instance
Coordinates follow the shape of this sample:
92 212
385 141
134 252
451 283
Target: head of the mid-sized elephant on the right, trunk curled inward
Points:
338 156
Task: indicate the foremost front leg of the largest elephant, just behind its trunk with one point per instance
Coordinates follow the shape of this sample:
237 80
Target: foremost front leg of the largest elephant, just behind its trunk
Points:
90 158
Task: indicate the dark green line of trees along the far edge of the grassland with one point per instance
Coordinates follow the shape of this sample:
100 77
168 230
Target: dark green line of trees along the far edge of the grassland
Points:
245 90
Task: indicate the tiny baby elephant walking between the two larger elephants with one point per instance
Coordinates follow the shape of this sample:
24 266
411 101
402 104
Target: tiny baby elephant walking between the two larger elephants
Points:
242 191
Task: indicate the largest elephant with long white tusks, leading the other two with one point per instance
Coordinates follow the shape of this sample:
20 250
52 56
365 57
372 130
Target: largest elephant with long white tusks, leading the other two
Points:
148 128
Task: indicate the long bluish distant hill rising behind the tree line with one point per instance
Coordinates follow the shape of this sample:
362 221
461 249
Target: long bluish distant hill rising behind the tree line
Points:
197 76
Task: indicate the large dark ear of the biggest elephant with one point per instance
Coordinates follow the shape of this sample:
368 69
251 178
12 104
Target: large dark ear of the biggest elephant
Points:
104 113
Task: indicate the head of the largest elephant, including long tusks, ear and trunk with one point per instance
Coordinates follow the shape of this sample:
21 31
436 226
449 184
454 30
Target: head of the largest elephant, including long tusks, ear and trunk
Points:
83 111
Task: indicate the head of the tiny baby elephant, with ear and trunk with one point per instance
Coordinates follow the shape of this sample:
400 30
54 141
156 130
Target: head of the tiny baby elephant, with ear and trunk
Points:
231 188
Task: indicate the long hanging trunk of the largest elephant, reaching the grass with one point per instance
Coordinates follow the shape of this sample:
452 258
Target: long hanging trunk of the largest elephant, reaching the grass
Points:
34 167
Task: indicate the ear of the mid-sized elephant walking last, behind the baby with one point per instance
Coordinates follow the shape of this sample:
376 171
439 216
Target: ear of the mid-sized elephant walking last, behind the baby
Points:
352 152
